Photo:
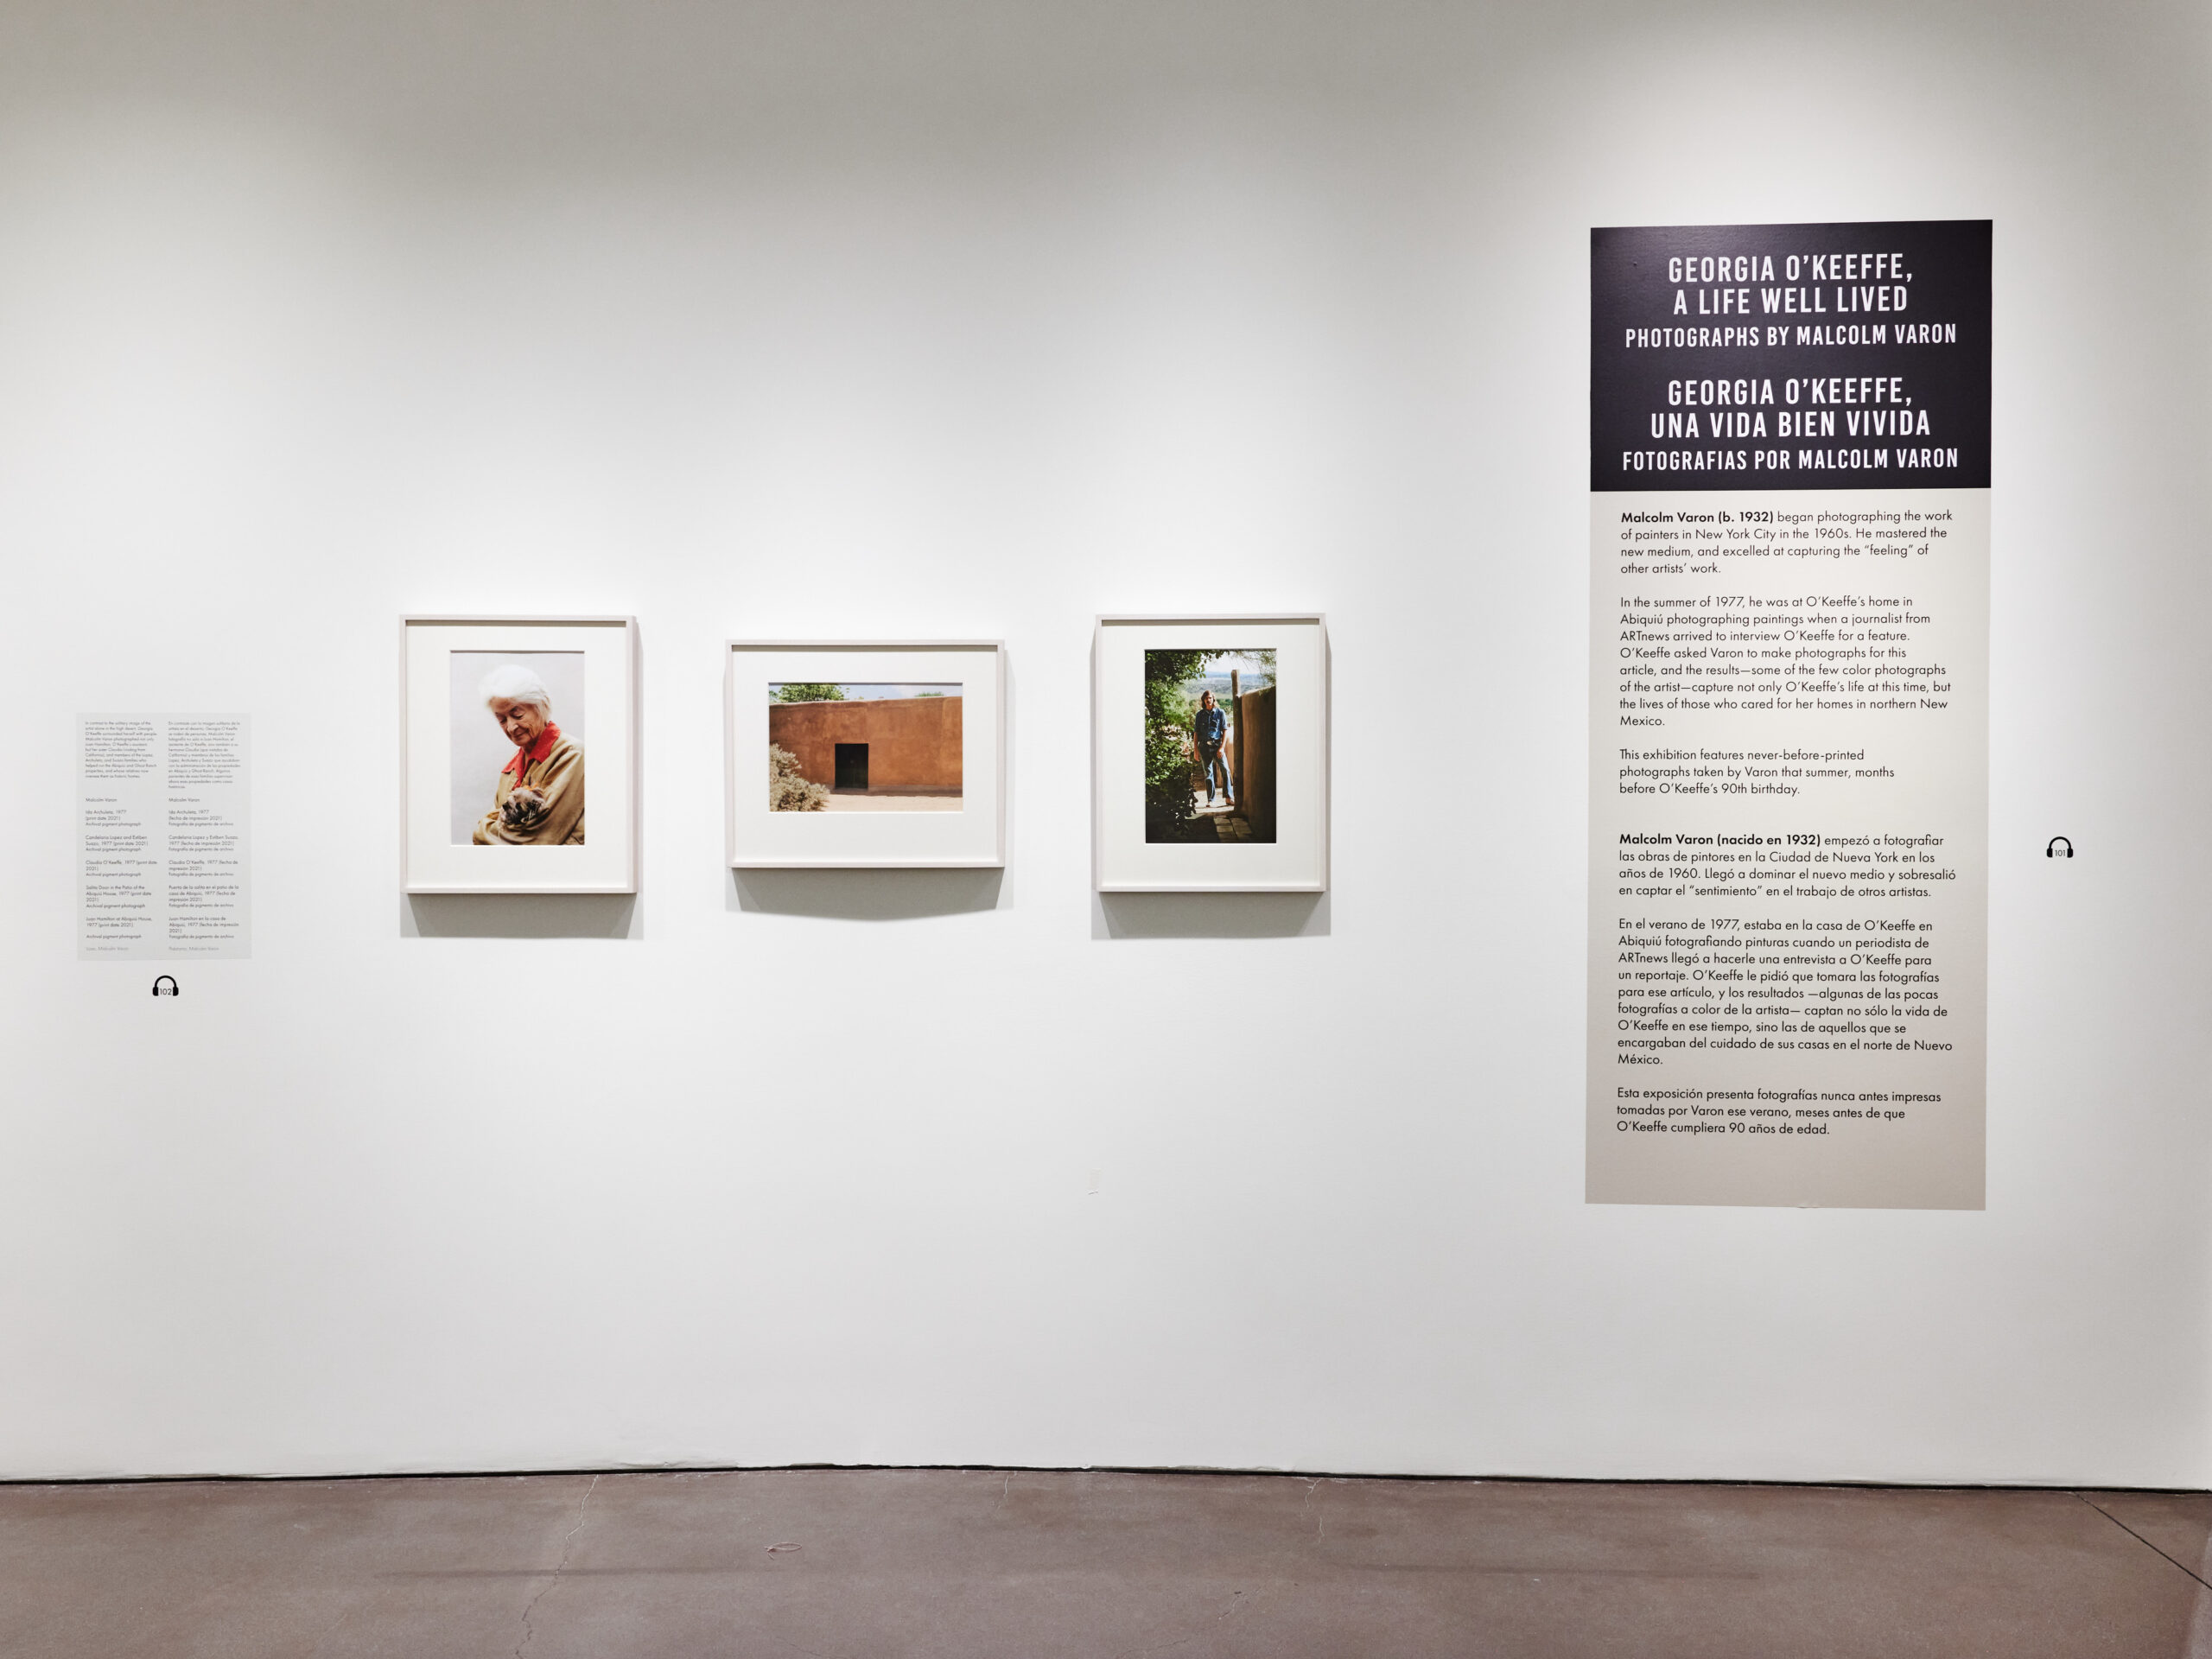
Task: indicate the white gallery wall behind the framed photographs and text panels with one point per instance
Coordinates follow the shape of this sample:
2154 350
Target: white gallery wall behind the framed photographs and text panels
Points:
974 322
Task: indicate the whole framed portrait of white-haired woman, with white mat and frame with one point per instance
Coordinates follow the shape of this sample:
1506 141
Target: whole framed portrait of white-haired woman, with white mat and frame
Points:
499 718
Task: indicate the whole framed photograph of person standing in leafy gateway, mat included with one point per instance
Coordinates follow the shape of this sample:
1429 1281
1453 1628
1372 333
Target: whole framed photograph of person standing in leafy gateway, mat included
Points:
1211 749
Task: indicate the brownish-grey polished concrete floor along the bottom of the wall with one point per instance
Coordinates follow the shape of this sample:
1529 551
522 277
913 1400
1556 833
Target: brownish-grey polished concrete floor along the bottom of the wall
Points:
846 1565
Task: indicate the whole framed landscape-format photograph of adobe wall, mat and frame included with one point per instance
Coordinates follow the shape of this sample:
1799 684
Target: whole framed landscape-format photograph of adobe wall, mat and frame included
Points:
866 755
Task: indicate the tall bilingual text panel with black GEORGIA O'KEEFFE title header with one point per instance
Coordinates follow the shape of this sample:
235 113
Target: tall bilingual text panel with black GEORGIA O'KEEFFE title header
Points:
1788 716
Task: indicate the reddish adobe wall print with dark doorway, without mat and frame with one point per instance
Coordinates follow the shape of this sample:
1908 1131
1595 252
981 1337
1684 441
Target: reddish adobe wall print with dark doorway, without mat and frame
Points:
866 749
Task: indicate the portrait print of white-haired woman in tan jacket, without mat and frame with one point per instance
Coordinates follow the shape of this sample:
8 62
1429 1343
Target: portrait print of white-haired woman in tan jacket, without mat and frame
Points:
519 749
